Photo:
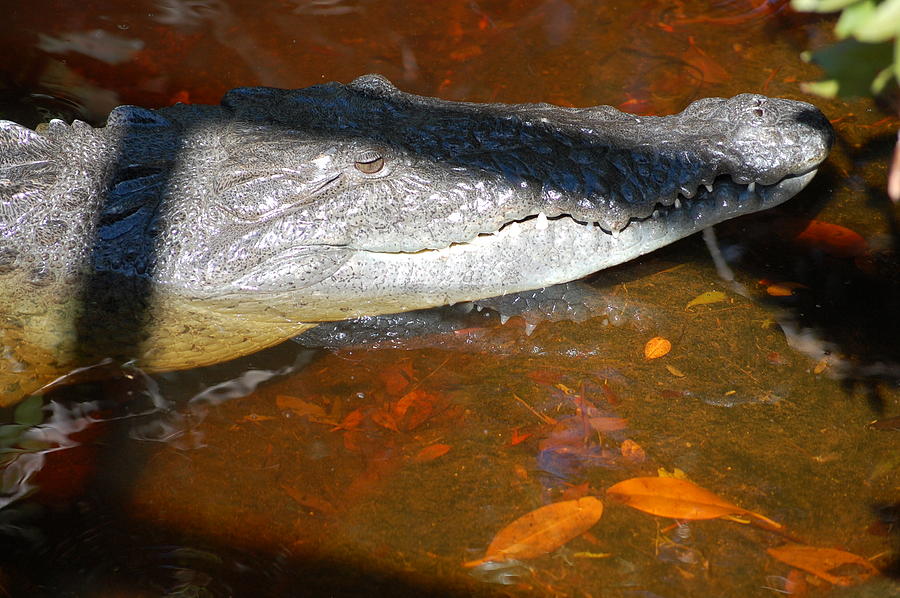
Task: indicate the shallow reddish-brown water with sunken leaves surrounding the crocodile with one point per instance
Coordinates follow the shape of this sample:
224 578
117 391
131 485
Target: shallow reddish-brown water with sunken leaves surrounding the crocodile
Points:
379 470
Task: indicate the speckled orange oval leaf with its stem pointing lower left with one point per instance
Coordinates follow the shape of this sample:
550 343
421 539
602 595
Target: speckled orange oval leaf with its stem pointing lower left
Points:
543 530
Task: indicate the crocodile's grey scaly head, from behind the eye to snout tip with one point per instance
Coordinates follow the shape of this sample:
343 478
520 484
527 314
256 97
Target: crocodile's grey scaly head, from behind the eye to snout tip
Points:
345 200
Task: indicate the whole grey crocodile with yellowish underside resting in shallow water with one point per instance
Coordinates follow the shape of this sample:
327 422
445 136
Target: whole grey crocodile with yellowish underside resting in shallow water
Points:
193 234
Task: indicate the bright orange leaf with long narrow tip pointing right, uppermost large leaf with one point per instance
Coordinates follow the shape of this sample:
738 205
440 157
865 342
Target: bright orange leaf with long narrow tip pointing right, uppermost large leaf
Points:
678 499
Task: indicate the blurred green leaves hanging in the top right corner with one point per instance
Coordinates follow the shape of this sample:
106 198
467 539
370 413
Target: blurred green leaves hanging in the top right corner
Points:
867 58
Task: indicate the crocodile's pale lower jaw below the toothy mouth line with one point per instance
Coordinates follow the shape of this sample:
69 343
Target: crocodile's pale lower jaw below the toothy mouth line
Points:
532 253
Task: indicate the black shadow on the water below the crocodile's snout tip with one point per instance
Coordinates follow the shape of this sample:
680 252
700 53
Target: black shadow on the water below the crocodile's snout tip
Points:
848 304
